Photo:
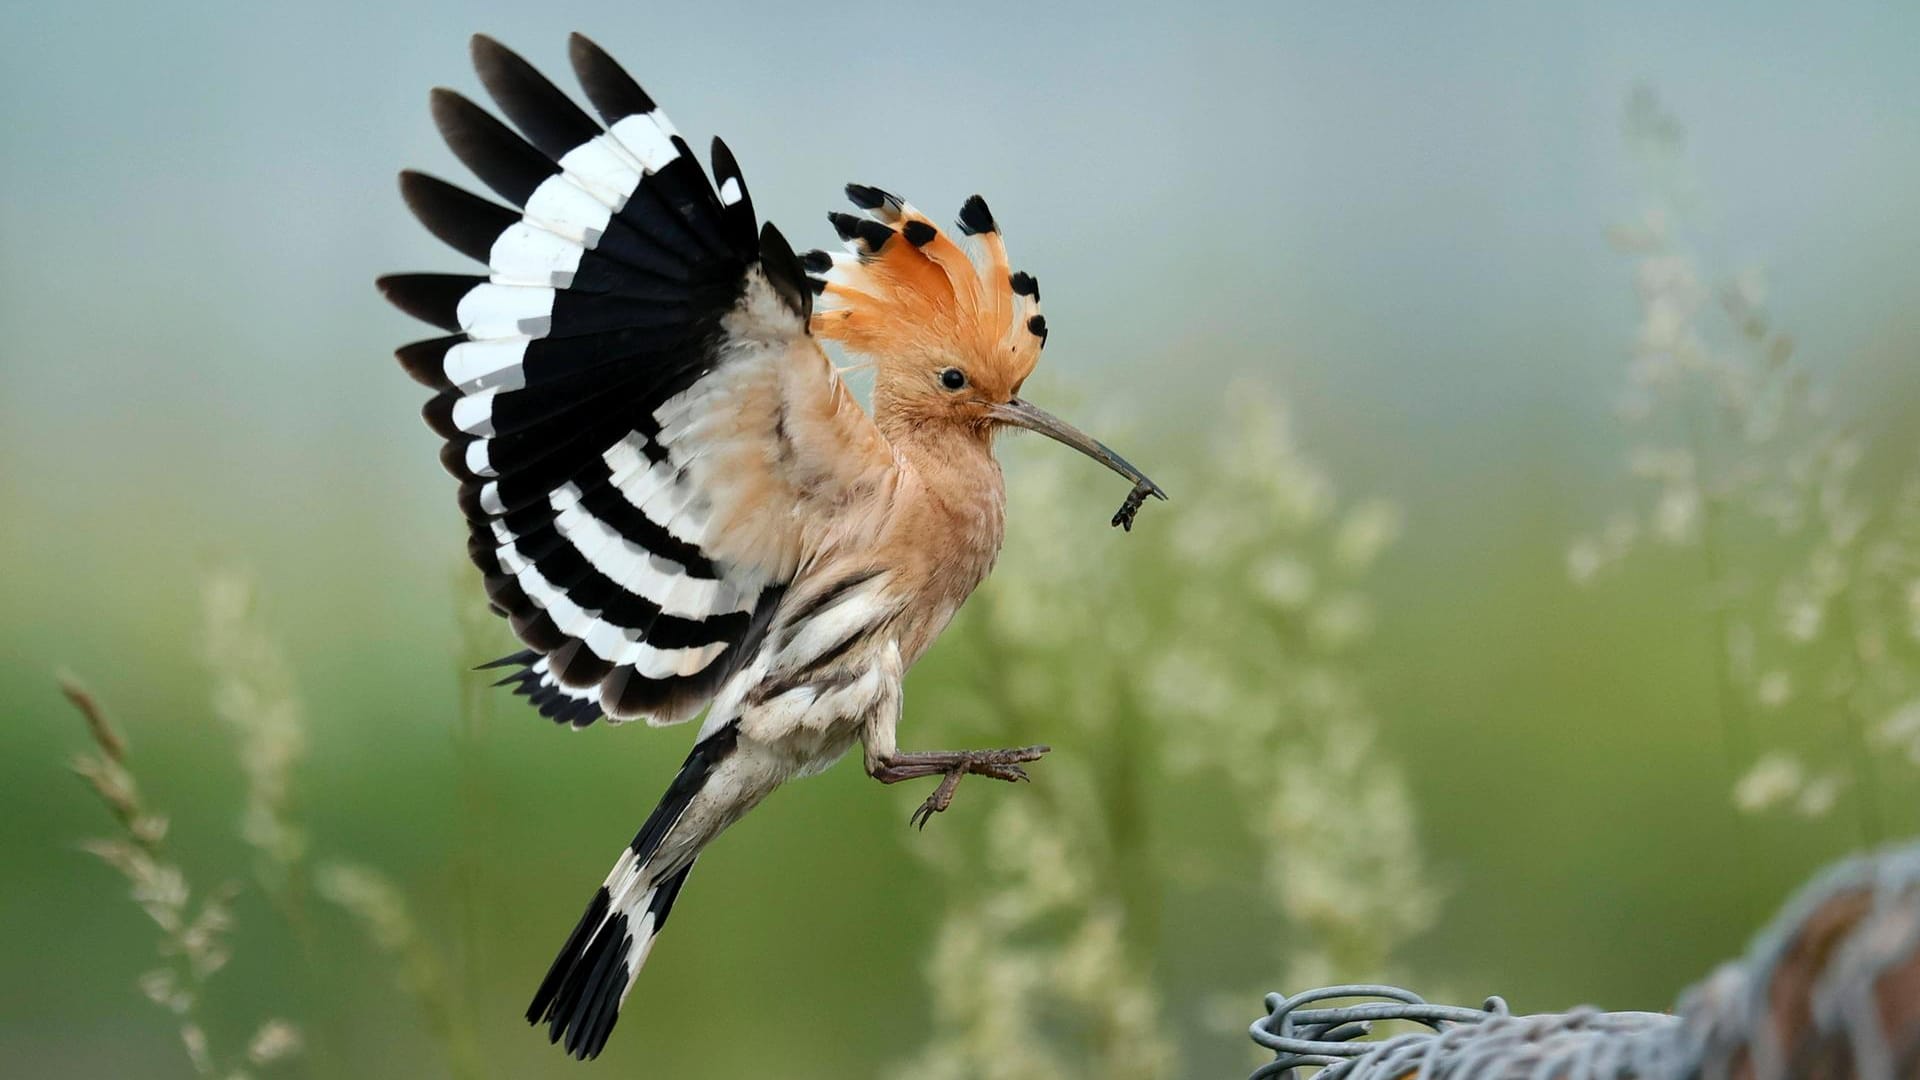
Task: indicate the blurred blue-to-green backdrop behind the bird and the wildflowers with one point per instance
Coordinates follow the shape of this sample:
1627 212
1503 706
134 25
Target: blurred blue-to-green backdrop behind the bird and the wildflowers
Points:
1389 218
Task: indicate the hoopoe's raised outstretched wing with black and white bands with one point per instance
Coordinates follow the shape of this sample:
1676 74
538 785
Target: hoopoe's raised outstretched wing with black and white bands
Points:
635 408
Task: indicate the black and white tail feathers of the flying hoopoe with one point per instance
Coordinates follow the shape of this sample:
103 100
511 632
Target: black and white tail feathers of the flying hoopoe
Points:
588 983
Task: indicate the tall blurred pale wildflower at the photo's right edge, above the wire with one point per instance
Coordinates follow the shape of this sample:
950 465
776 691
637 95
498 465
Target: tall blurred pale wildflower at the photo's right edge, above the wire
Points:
1740 460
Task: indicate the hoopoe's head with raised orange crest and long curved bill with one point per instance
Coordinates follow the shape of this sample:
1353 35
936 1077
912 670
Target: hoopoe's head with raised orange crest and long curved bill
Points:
949 330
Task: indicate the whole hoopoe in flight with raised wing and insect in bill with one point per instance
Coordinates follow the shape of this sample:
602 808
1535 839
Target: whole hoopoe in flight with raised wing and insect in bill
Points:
673 497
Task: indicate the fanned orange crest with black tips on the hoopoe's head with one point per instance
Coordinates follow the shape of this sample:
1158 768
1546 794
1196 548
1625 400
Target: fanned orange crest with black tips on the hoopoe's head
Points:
909 297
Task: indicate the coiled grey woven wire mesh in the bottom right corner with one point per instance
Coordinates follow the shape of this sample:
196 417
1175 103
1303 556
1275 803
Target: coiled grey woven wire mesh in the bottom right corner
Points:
1831 989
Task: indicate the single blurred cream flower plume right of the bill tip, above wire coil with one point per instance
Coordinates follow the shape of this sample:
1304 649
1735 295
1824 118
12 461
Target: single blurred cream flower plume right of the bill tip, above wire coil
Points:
1303 737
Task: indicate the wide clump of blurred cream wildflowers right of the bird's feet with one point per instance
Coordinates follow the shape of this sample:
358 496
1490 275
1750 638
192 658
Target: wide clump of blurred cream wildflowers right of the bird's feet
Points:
1237 672
